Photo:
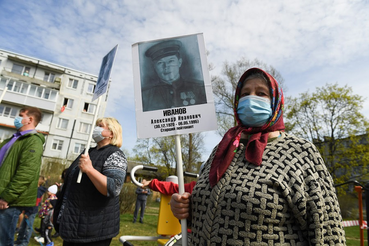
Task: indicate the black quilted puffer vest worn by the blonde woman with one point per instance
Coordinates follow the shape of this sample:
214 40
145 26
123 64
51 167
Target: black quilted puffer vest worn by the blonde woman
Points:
85 214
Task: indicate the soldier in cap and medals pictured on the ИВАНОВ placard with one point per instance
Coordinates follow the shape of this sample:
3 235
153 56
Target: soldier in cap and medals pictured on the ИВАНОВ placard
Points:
170 89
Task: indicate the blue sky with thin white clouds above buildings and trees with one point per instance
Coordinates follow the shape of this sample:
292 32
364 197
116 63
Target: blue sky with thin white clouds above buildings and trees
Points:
310 43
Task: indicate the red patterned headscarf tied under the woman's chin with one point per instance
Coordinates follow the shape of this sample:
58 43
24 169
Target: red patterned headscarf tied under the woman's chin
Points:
258 136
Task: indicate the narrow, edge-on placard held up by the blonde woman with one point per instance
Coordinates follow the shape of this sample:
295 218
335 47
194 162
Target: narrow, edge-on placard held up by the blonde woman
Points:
104 74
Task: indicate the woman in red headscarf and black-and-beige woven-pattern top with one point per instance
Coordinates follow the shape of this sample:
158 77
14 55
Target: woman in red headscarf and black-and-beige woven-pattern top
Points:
262 186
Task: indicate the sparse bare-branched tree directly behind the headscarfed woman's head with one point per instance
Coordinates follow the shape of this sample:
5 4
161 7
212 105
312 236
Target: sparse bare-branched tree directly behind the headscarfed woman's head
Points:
224 87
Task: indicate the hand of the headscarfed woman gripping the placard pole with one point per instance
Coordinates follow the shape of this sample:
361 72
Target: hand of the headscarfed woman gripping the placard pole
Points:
180 205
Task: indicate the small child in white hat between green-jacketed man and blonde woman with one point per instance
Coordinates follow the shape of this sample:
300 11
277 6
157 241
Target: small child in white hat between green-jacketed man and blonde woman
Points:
45 214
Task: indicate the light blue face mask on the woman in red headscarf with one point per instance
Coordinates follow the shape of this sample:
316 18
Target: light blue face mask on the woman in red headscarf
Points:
254 111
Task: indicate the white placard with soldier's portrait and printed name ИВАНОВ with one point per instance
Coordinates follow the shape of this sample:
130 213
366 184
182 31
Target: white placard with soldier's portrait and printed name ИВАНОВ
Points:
165 107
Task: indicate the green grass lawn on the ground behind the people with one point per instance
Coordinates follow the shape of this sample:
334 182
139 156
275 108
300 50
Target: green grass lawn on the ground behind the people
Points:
148 228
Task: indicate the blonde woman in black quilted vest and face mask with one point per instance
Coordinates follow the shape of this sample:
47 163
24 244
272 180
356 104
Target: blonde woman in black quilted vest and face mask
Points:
87 213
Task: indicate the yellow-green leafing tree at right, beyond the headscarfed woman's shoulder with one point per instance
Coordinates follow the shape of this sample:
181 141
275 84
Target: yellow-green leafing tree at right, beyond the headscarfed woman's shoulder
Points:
331 118
